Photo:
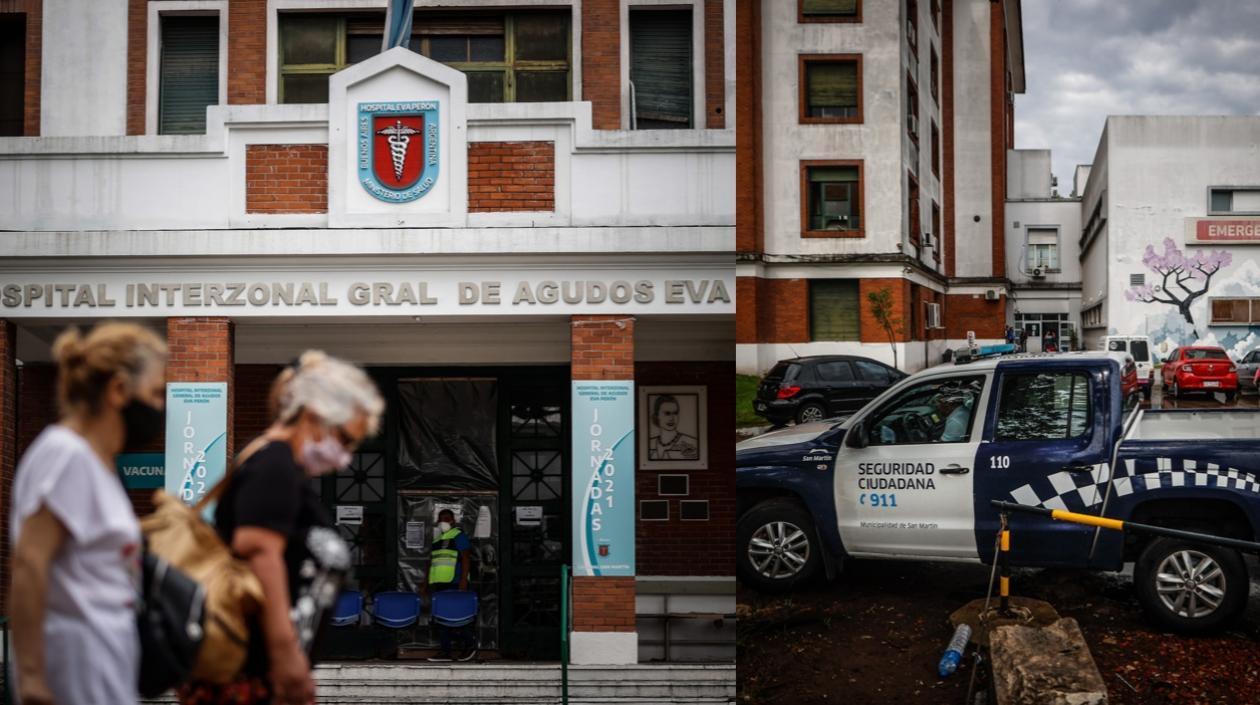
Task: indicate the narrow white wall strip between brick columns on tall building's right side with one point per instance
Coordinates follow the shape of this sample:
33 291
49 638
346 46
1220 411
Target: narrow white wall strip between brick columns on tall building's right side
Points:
973 152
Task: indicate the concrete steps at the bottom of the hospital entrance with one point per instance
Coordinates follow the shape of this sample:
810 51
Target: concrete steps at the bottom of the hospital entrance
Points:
525 684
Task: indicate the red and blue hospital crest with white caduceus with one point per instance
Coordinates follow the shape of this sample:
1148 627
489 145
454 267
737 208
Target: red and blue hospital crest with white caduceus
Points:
399 149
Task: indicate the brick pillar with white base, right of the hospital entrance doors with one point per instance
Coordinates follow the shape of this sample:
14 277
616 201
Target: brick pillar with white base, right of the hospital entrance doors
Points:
604 615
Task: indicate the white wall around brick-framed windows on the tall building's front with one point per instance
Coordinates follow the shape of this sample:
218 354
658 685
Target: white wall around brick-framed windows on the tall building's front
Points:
878 140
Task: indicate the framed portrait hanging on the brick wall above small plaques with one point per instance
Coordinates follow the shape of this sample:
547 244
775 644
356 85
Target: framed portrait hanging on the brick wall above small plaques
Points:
673 427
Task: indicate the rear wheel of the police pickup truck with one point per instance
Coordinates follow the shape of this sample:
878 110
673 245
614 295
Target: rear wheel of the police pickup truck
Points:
1189 587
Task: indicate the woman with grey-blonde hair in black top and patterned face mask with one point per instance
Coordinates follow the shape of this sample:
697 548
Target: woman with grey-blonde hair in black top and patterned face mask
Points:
272 518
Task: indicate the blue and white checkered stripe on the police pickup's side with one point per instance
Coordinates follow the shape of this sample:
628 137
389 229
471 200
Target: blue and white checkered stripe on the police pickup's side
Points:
1074 492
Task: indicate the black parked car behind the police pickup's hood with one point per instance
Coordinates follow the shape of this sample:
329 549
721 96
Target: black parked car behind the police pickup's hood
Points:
821 387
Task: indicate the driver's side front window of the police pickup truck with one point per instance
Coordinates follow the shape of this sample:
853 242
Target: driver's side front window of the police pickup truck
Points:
932 412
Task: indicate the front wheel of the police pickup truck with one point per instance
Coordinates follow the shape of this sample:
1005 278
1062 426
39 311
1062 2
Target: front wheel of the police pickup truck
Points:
777 547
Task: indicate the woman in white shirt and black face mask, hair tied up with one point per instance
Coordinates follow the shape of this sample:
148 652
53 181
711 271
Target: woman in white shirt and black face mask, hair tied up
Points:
76 565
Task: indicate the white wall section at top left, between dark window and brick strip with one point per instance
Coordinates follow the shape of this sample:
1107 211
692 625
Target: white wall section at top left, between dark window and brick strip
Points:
84 69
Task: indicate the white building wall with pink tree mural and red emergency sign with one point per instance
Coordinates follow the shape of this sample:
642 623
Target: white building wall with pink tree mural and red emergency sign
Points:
1157 173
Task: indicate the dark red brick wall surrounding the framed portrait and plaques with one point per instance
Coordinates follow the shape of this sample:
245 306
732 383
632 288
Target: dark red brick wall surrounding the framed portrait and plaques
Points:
694 548
